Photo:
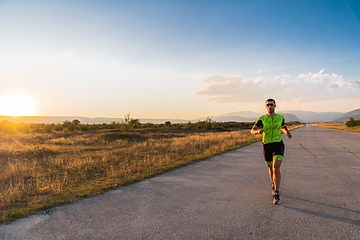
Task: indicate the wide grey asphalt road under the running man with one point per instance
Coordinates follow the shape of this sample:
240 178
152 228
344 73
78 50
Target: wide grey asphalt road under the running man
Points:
225 197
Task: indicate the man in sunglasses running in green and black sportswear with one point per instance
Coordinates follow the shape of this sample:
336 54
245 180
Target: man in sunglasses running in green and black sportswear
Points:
270 126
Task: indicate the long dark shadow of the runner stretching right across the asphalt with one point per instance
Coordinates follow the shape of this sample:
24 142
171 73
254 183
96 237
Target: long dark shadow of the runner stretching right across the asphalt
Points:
324 215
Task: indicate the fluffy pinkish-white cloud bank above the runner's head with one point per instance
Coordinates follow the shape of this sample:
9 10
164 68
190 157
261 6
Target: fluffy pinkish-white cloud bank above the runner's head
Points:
304 88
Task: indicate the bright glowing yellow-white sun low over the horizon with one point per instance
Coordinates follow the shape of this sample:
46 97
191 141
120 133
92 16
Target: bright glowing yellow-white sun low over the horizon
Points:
17 104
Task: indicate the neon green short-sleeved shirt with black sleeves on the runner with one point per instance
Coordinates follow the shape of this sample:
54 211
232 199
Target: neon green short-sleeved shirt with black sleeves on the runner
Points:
272 127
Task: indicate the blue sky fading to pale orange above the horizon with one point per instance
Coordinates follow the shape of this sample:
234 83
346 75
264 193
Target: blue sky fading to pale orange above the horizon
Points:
178 58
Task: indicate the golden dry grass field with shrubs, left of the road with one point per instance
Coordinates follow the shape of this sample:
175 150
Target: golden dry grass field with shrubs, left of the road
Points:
46 165
